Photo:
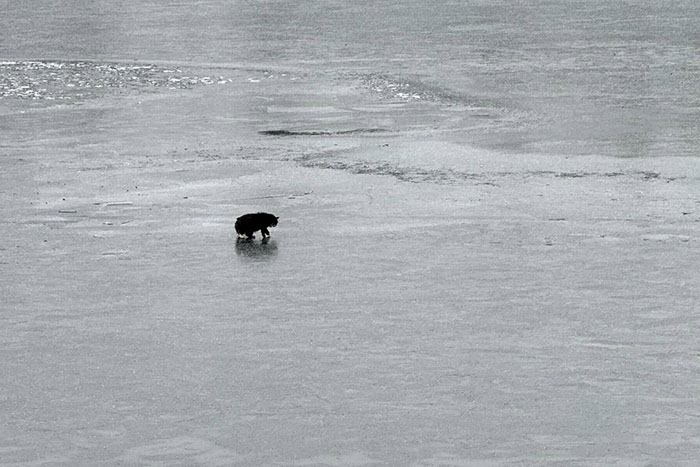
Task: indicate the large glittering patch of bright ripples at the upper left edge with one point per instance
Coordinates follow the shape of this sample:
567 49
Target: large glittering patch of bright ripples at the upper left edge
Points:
80 80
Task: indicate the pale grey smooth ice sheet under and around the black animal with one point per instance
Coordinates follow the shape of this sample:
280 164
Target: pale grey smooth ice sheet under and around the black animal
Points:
537 311
